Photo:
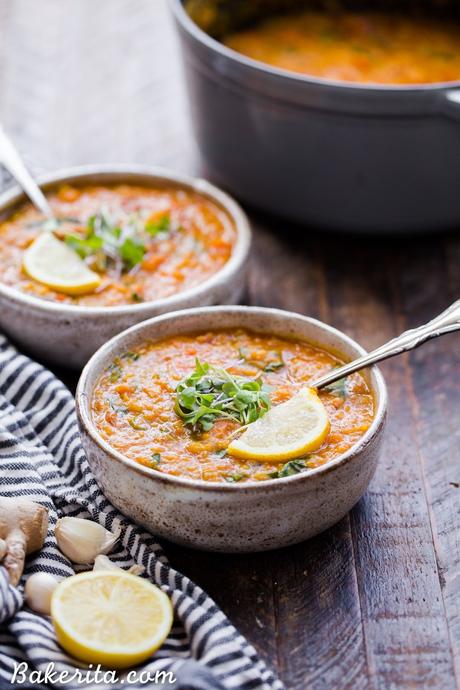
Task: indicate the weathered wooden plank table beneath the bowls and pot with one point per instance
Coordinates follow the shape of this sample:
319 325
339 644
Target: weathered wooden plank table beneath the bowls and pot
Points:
374 602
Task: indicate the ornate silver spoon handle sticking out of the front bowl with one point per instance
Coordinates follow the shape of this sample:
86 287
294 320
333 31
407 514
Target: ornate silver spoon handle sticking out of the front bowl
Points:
447 322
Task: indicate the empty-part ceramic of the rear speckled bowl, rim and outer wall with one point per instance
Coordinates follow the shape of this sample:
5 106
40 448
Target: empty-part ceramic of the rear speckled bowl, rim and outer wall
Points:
68 335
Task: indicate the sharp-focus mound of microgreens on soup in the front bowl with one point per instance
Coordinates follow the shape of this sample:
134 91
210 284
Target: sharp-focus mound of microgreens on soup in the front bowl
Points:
211 392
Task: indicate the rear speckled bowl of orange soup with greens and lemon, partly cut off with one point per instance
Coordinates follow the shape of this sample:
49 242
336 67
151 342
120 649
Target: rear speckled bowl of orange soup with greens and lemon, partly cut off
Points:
151 241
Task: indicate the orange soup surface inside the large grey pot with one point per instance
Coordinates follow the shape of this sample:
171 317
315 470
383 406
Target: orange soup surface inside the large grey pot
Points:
367 47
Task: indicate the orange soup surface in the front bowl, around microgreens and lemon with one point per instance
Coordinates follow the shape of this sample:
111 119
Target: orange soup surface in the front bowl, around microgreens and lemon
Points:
134 403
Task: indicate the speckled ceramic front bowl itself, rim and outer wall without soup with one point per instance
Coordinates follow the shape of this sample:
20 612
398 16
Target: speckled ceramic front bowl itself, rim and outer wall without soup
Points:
213 516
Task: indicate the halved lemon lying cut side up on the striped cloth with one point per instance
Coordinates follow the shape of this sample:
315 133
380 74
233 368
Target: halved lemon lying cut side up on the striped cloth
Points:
110 617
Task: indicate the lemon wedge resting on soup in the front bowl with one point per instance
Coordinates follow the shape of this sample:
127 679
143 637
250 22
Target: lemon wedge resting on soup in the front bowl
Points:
287 431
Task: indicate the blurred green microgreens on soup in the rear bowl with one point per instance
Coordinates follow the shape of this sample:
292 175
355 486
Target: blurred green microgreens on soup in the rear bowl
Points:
122 244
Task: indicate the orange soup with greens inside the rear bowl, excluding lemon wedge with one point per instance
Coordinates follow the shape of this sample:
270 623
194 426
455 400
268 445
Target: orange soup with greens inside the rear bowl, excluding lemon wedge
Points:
145 243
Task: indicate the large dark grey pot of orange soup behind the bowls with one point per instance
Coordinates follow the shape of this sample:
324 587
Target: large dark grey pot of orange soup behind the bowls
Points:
341 116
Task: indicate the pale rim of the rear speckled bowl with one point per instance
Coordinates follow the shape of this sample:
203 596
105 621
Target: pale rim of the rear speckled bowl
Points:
155 174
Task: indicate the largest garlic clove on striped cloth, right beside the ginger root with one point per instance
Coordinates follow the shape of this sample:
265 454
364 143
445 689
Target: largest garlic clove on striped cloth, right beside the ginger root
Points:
82 540
